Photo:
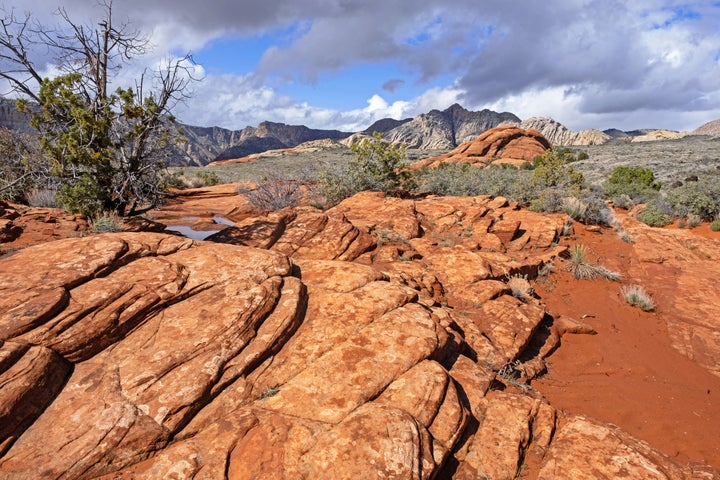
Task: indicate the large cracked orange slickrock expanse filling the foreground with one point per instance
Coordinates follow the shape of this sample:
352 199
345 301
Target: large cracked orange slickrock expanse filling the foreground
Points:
377 339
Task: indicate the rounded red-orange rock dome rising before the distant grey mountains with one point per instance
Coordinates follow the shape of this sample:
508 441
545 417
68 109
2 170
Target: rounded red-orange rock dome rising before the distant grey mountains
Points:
504 144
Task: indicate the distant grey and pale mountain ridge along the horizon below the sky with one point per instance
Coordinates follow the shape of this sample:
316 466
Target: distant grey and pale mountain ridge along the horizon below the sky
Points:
435 130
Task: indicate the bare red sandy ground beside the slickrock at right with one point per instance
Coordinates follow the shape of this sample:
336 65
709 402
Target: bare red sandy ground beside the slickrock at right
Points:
628 374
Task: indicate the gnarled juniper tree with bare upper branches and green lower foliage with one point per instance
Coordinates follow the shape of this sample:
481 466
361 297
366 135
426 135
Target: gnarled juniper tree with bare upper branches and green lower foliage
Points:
104 144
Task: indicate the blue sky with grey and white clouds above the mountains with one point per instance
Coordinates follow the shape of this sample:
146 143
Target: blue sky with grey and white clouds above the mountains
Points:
346 63
